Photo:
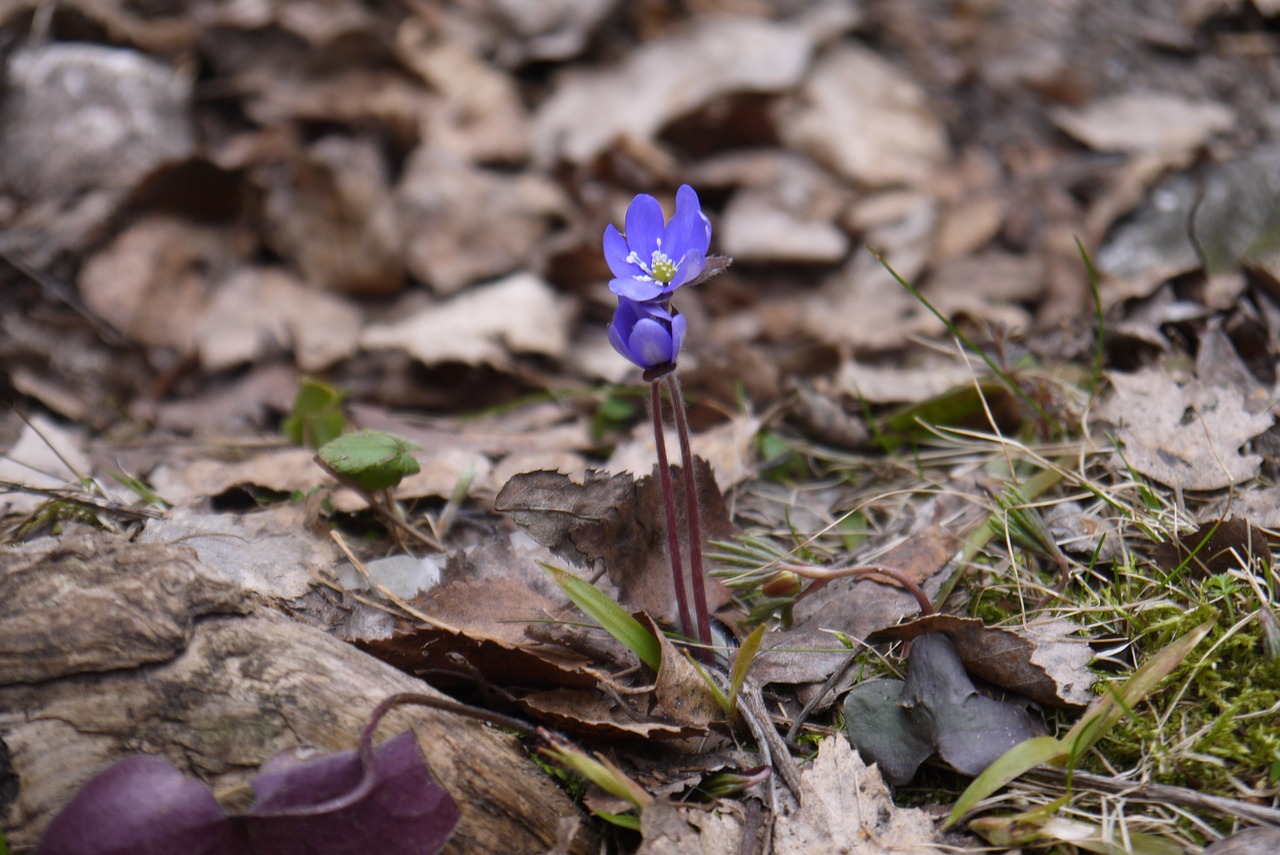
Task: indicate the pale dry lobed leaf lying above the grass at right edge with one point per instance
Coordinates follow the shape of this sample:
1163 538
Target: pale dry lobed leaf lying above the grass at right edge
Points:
1183 436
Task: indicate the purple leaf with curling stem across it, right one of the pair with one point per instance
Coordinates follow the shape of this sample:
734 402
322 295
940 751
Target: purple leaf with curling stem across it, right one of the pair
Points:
308 810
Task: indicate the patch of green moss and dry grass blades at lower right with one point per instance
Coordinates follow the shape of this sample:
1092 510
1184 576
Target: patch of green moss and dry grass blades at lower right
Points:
1210 725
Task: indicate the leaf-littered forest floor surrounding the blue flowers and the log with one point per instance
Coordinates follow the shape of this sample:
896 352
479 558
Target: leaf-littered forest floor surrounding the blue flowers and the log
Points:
1003 317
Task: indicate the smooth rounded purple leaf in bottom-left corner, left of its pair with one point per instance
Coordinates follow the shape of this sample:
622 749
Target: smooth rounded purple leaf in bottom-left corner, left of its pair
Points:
141 806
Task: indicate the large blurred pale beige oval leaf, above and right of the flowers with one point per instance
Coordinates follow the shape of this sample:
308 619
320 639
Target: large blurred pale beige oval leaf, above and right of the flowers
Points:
865 120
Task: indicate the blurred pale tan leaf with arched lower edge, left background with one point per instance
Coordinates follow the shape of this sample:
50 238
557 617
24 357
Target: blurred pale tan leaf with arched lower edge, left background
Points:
258 310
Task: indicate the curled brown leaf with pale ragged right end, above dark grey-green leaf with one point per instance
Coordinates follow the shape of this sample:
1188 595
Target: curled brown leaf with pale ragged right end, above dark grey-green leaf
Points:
1041 662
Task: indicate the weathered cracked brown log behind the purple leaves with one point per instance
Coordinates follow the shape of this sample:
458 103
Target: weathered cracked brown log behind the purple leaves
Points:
111 648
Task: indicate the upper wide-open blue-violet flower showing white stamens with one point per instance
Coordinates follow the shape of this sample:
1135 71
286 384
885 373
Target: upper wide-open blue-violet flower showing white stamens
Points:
655 259
